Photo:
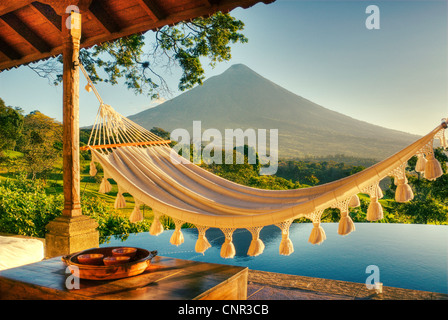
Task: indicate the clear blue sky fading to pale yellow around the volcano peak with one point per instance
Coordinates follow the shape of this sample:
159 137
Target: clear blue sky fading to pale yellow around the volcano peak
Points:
395 76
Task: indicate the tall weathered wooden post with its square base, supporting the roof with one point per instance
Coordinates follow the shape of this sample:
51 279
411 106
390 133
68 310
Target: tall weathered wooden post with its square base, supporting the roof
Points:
72 231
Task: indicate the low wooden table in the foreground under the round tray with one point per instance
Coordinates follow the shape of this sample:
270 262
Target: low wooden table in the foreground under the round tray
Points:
169 279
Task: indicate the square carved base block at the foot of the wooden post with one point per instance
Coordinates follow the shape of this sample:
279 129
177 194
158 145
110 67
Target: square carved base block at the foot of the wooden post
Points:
71 234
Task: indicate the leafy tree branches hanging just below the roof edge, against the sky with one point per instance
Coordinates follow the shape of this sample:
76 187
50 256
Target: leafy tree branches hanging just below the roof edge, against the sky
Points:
181 45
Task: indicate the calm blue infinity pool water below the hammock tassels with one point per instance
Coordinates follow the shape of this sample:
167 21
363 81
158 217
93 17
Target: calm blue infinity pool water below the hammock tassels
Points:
407 255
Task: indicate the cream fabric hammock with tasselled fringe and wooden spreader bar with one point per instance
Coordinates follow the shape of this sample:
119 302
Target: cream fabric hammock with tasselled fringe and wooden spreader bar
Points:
146 167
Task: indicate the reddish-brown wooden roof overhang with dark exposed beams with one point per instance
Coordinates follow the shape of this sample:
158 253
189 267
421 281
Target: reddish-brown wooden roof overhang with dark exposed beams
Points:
31 30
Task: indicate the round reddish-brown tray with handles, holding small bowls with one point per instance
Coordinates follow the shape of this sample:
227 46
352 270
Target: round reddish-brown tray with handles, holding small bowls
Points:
135 266
